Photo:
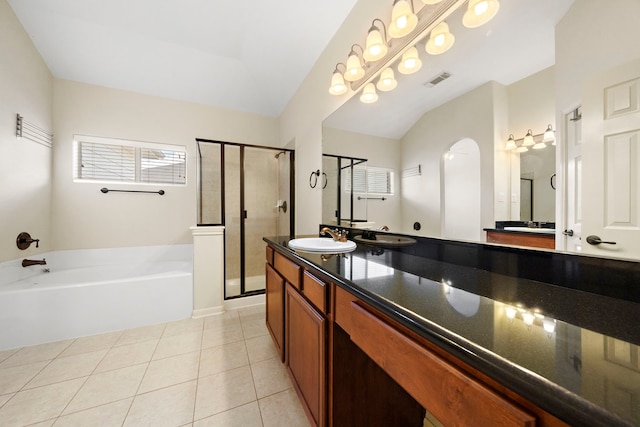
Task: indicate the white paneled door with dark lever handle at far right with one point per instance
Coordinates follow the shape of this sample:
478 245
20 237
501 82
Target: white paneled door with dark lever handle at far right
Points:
611 154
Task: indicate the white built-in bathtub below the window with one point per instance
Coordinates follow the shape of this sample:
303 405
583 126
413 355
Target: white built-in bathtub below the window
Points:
87 292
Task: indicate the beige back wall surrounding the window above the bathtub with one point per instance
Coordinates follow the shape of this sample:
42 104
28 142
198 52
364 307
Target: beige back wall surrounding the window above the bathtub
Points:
83 217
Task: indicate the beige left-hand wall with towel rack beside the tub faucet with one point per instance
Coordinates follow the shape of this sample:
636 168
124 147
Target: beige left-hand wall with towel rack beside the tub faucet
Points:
26 87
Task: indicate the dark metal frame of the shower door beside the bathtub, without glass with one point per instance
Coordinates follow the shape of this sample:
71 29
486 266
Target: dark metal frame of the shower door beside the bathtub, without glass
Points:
242 209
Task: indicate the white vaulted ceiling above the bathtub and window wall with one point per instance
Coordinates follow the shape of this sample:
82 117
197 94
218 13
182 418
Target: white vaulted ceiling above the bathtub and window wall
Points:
242 55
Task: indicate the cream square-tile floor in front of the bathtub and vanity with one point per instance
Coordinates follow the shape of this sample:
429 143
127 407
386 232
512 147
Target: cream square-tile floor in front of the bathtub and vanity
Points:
218 371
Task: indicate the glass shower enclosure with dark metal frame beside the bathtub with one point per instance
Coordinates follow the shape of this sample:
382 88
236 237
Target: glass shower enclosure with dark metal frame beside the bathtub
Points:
249 190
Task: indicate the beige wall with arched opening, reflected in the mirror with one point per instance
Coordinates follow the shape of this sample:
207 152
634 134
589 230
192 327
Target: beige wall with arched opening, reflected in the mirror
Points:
427 141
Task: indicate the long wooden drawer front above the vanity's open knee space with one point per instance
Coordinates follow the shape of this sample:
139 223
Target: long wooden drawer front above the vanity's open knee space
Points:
449 394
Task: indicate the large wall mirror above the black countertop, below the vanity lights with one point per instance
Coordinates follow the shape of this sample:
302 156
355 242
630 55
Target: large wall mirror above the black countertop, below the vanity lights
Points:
522 71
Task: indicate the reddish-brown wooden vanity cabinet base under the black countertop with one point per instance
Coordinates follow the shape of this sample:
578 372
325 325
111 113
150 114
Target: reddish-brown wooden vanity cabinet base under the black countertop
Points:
353 365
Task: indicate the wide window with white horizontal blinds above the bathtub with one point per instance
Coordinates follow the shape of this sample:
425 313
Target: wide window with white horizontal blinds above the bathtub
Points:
103 159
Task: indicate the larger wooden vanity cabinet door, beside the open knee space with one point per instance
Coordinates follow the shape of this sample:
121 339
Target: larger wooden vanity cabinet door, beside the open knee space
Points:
306 354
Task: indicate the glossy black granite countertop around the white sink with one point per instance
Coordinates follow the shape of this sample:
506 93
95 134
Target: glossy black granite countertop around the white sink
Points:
571 352
